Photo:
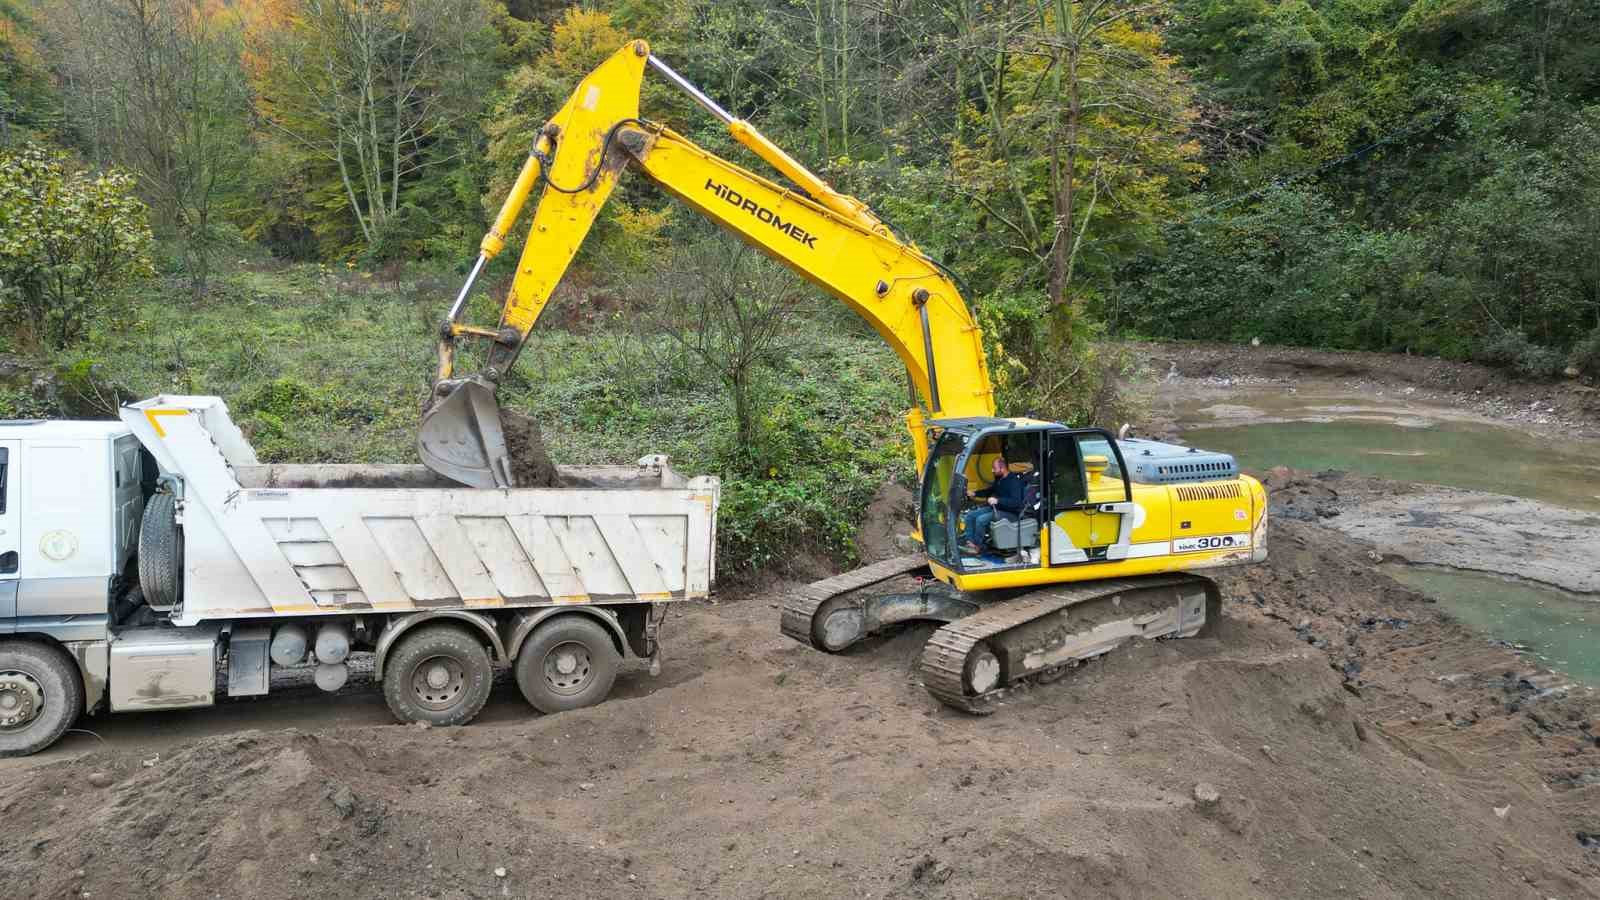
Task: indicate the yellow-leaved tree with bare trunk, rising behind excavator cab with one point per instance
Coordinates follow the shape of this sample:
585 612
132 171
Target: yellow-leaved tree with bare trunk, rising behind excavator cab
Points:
1084 105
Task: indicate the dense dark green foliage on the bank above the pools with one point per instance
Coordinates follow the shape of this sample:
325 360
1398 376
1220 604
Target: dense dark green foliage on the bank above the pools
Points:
1423 177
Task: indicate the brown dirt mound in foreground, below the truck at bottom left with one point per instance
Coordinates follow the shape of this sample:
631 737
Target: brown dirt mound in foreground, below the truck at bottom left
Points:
273 816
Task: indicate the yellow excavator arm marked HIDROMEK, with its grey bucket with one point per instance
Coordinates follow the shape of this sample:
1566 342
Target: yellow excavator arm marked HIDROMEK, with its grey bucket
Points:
831 239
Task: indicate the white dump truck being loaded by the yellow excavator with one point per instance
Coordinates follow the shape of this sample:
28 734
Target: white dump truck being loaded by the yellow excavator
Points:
156 565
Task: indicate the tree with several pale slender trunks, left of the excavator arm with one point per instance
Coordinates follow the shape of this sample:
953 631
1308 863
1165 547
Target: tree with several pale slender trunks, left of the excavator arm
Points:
383 92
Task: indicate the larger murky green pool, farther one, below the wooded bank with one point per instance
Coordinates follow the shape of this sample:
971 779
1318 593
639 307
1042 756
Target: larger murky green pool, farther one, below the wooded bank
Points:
1479 457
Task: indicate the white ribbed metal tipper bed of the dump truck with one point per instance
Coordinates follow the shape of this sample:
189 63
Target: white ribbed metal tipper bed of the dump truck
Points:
329 540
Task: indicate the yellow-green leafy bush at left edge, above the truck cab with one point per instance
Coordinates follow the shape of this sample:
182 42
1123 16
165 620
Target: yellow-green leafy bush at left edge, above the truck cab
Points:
68 238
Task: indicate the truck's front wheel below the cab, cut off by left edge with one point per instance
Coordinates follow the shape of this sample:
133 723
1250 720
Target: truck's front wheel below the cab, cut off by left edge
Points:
41 696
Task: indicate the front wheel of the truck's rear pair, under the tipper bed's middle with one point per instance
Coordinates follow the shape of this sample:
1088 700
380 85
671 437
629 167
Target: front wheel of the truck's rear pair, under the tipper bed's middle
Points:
438 675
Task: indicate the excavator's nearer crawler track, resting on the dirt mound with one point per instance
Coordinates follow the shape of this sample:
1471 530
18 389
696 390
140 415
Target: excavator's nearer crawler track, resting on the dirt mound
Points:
999 651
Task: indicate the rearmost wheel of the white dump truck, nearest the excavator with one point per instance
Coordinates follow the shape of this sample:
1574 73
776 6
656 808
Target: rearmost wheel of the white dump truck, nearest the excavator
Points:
567 664
